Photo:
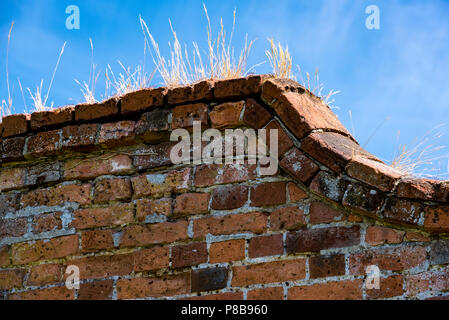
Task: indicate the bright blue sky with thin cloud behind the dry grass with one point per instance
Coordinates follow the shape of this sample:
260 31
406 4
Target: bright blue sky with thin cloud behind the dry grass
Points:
400 72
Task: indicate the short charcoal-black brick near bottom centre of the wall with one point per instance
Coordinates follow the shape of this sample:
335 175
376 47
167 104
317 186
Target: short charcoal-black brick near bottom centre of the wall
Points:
209 279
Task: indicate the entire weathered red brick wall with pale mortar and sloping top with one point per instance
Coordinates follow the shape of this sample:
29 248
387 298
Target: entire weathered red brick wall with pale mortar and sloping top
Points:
93 186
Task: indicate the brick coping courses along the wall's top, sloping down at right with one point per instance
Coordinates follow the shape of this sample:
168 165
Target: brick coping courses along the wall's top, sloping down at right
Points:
324 156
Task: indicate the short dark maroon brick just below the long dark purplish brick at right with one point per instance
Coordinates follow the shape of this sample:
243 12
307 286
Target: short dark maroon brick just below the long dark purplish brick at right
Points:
327 266
